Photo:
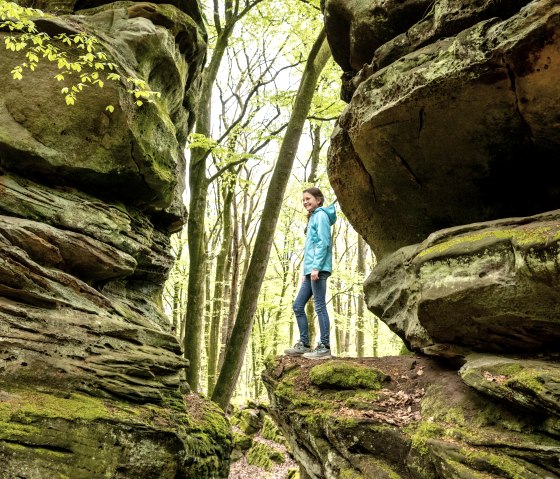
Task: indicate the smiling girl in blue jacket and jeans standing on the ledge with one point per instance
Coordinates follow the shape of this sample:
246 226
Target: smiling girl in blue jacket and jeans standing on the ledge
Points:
317 267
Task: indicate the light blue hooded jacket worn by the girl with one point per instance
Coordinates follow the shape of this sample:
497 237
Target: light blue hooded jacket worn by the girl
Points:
317 253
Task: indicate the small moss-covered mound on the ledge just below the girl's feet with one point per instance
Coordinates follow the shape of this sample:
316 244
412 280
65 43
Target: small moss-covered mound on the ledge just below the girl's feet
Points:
346 375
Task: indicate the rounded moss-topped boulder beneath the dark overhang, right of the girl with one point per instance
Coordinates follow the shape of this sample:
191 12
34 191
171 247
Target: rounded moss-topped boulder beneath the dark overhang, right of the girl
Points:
489 287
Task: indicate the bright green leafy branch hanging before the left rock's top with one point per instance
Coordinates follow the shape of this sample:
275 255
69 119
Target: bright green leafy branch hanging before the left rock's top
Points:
89 67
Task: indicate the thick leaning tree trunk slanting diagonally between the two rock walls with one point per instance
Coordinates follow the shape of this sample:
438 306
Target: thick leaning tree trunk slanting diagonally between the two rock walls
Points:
235 351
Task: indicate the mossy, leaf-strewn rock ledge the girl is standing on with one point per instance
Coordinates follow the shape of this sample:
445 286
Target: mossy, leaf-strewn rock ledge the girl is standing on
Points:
419 421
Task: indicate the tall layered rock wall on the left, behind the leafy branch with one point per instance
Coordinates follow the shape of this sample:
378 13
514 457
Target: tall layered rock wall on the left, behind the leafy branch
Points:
91 379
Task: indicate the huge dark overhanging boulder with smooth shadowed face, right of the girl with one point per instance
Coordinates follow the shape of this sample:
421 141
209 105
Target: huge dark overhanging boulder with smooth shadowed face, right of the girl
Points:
459 131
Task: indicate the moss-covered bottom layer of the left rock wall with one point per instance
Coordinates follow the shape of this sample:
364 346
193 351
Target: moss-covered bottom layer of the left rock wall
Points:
77 436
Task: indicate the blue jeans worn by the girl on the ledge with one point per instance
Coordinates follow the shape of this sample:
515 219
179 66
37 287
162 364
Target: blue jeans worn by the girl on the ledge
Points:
317 289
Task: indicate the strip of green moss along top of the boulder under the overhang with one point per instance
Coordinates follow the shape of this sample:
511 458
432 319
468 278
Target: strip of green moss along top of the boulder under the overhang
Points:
524 236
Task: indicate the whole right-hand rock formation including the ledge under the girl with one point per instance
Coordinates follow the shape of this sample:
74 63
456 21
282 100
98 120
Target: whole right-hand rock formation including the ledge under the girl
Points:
446 161
